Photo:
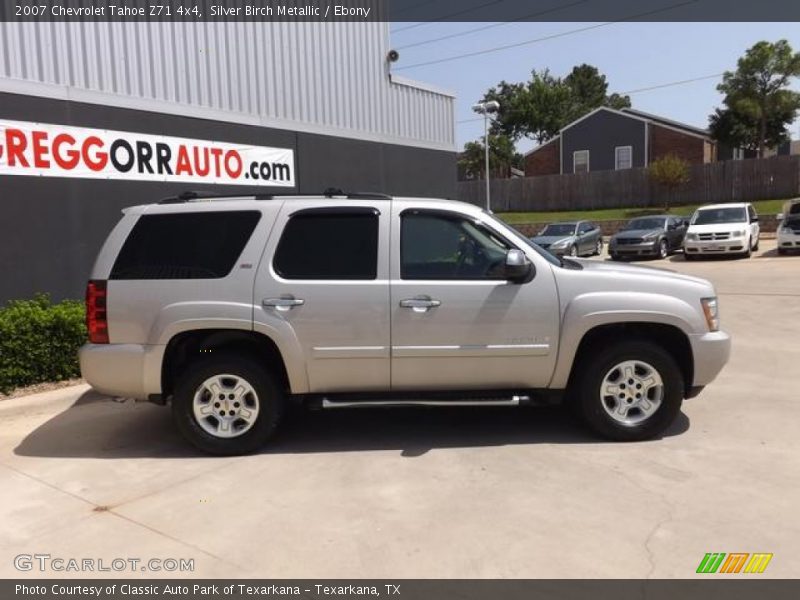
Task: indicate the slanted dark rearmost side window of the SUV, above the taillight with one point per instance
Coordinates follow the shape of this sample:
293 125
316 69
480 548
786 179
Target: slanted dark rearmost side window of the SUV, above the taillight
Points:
203 245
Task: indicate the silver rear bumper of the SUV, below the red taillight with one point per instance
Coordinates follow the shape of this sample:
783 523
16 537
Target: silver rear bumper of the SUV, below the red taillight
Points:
124 370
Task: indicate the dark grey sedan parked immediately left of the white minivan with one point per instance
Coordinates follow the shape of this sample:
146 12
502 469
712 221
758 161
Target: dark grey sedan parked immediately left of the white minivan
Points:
654 236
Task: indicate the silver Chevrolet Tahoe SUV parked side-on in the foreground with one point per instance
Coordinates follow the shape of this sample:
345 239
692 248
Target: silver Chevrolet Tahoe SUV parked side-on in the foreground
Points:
228 308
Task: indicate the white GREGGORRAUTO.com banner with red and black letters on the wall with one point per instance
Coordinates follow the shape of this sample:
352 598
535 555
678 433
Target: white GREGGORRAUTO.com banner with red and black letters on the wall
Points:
39 149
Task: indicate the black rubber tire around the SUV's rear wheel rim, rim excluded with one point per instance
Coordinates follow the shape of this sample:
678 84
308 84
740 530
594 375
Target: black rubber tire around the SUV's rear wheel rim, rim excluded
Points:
269 396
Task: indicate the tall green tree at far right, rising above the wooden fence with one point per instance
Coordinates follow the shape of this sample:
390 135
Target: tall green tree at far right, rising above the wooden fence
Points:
758 102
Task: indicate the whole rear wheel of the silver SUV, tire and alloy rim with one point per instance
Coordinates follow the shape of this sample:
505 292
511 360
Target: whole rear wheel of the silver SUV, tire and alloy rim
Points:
227 405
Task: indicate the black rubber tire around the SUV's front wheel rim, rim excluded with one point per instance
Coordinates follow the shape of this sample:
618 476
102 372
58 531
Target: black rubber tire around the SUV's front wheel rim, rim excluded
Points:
592 371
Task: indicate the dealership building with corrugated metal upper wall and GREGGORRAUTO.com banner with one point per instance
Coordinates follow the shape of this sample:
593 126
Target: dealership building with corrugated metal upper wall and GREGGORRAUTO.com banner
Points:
95 117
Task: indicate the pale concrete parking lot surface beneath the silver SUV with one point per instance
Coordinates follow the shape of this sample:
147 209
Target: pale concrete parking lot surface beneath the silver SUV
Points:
509 493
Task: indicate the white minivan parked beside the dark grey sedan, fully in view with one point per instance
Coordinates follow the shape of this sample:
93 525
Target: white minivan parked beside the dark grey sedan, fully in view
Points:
722 229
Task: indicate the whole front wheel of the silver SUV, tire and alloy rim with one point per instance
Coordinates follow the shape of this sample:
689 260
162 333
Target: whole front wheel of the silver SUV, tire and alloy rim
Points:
632 391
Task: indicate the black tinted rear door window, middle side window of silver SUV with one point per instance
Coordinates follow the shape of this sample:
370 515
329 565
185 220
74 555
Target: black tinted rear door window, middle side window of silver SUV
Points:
327 245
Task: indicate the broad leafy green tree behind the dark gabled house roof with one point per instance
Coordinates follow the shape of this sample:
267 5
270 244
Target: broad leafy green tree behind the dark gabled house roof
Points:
542 106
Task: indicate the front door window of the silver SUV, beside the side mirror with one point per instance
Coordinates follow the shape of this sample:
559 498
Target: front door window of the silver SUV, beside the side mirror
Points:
439 246
